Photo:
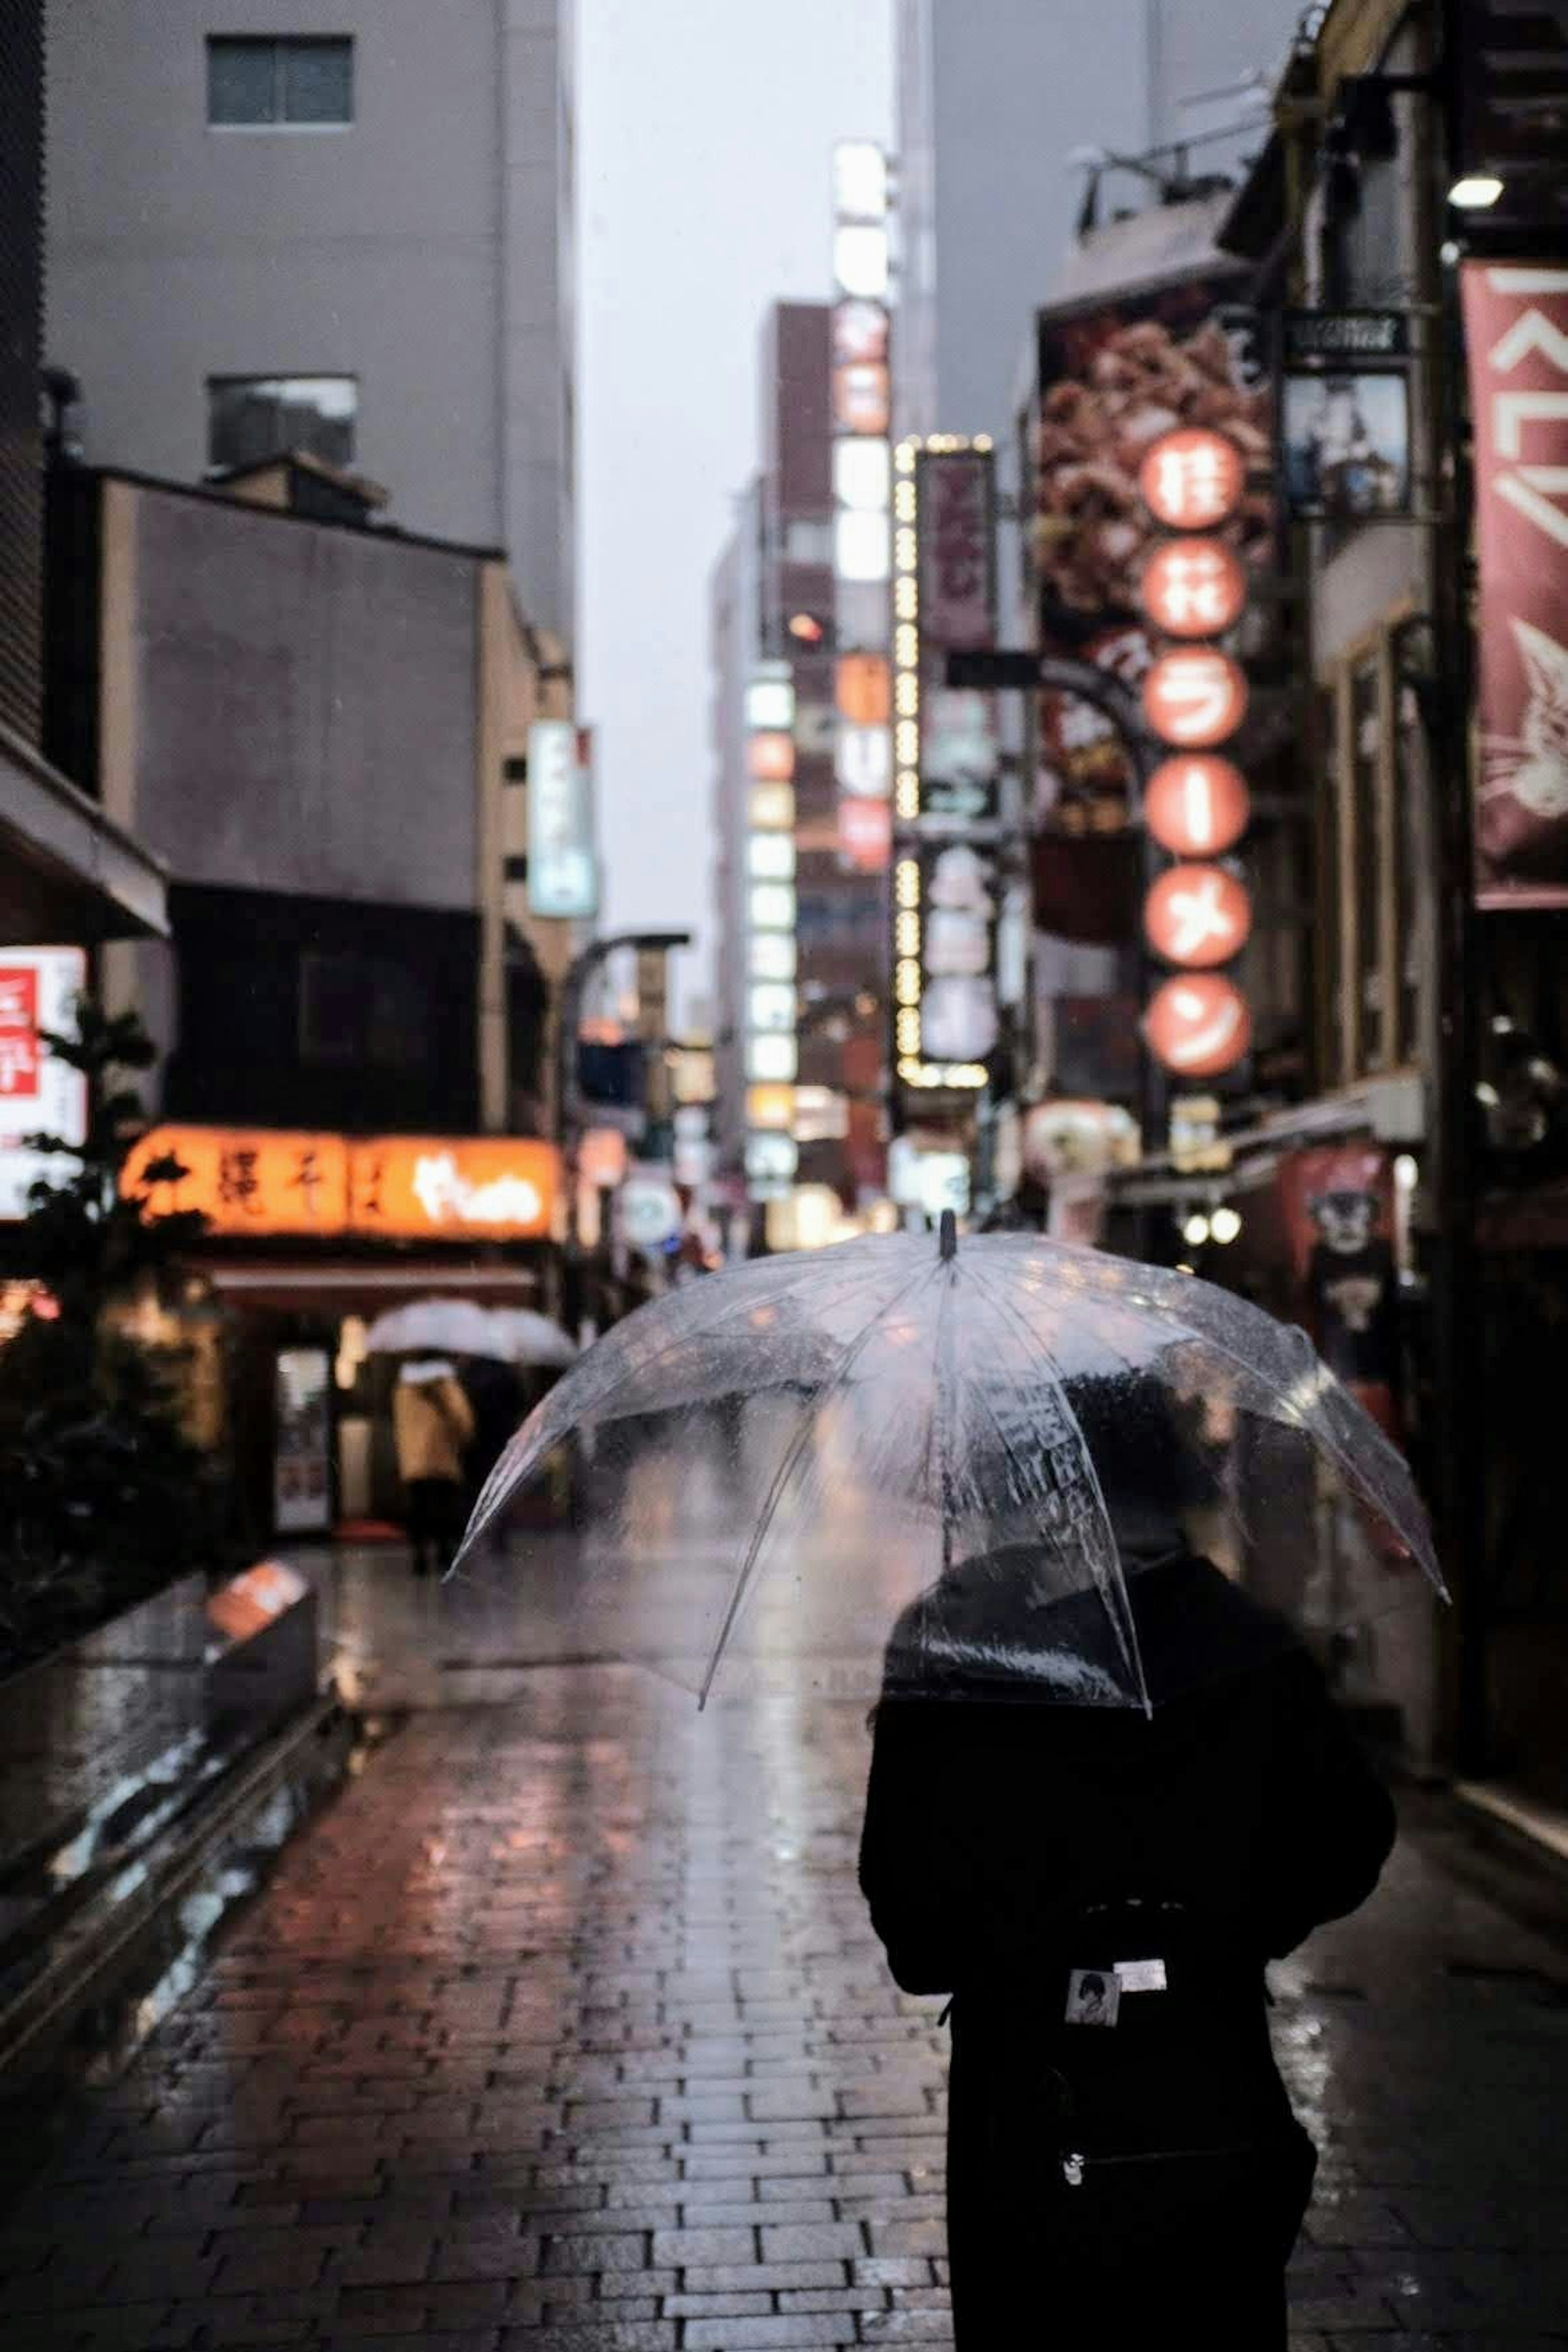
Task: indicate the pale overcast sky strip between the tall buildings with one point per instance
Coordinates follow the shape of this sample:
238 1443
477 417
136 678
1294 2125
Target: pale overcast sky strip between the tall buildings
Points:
704 194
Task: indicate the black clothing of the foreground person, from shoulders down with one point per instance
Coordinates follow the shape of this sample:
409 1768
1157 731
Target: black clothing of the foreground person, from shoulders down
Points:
1010 1843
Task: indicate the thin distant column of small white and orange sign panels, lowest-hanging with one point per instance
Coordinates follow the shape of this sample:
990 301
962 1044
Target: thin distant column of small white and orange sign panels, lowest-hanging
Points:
772 1050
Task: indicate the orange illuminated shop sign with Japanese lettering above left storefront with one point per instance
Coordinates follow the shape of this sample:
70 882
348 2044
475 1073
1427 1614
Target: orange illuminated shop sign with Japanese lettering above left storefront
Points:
401 1189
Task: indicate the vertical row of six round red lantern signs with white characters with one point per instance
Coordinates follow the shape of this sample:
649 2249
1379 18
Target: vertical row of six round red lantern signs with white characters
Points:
1198 914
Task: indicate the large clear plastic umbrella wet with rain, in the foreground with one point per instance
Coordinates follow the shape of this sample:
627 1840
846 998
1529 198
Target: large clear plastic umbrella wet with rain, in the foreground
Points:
946 1469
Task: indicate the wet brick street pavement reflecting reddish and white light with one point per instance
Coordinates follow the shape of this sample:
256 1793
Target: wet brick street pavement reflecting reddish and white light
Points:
565 2029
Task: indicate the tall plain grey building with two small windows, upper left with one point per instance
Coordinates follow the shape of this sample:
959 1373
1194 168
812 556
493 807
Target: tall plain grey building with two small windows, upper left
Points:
335 229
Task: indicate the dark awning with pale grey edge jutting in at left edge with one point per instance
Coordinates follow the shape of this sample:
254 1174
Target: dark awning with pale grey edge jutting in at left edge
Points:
67 874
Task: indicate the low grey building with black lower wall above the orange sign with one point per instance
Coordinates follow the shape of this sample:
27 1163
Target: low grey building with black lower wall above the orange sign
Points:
323 728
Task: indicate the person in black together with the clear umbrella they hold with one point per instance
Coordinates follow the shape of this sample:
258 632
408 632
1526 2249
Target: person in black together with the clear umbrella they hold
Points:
1106 1784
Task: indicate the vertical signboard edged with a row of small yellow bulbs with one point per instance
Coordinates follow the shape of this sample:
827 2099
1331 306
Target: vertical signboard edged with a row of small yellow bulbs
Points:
946 777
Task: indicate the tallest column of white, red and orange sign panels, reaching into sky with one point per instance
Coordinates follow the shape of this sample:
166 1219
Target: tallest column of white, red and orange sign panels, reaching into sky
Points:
862 505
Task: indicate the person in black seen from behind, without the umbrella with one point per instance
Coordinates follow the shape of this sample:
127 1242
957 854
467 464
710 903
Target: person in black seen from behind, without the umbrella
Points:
1099 1892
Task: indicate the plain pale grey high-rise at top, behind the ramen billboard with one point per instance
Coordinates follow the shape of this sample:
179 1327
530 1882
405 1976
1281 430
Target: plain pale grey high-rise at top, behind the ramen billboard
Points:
1000 109
